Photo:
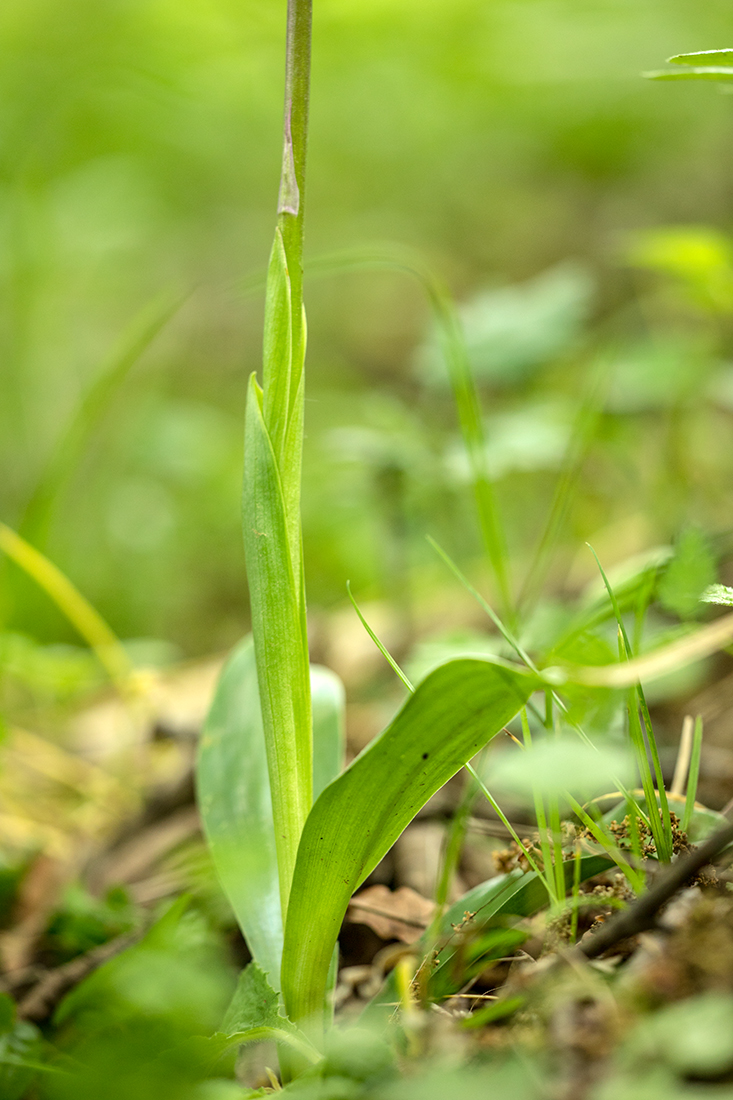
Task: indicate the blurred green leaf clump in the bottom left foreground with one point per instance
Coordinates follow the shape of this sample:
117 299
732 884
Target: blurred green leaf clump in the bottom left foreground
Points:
139 1026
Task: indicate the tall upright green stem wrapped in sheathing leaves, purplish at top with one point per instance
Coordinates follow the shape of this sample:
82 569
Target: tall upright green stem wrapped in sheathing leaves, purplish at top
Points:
273 459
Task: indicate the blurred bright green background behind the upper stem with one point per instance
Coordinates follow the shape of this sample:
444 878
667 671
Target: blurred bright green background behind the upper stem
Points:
512 142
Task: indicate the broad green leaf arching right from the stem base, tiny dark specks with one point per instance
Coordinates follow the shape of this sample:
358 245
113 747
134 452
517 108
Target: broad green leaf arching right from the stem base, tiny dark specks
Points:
454 713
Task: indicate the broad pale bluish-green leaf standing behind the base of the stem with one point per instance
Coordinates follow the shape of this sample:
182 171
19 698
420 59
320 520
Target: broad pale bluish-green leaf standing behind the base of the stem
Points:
235 801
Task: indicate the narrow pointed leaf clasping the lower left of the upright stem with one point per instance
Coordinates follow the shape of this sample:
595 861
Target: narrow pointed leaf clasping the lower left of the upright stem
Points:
281 651
